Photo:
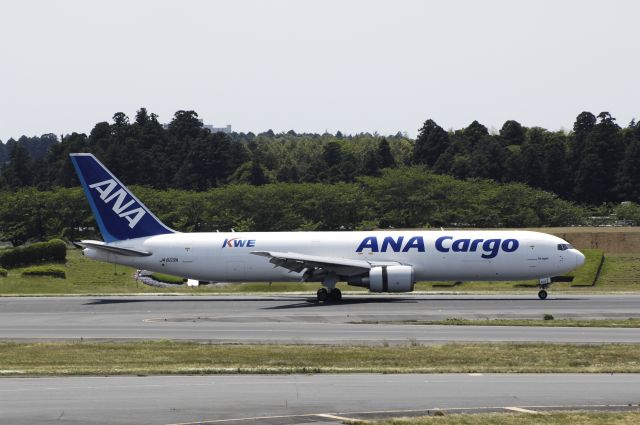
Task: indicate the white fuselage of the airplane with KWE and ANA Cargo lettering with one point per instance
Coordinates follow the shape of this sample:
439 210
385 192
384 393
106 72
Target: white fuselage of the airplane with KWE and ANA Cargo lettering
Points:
434 255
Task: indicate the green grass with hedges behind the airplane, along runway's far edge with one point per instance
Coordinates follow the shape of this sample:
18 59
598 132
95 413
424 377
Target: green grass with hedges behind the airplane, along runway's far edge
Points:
621 273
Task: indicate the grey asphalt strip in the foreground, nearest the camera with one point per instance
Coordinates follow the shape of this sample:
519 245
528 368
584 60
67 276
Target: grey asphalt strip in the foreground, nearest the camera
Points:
301 398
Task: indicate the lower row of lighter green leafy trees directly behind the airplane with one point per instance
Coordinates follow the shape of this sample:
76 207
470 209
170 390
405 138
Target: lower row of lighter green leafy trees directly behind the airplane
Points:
407 197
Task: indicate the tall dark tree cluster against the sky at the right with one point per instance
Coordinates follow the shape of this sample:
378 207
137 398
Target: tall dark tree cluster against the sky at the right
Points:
595 163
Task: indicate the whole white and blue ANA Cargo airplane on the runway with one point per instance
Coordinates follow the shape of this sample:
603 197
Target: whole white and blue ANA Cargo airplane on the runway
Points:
380 260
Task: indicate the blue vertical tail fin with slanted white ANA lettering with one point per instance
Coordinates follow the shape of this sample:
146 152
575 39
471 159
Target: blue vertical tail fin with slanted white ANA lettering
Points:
119 214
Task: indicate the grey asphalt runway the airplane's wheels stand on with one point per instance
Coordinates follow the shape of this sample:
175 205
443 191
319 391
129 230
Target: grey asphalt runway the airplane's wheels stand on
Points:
297 319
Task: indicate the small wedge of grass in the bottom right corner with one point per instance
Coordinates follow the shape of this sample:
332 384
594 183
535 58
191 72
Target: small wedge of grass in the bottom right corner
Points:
564 418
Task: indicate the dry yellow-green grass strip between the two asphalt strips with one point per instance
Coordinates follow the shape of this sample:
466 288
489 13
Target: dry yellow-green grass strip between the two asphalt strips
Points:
168 357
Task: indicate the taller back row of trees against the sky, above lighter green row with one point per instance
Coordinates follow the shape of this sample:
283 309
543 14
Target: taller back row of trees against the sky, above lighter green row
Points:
596 162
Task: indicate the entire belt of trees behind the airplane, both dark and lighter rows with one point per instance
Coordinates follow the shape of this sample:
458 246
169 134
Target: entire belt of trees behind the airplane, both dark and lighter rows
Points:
288 181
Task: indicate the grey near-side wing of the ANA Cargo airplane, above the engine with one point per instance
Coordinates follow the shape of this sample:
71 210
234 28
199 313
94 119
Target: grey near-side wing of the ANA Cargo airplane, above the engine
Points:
299 262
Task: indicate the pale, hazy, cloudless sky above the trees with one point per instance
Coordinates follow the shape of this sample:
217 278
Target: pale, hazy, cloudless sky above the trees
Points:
315 66
